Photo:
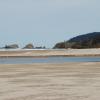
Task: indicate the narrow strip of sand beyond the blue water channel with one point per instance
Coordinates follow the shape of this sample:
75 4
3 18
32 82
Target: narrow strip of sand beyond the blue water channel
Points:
46 53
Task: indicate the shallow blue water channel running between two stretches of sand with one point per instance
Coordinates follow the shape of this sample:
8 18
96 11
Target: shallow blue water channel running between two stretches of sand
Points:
48 60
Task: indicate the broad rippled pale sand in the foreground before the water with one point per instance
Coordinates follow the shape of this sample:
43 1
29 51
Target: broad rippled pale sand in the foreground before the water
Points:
68 81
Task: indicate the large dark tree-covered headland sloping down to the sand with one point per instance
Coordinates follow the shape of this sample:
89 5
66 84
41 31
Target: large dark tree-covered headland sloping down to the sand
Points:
90 40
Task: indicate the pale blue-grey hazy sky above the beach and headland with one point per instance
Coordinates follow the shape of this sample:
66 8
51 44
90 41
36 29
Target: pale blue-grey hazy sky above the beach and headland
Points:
46 22
